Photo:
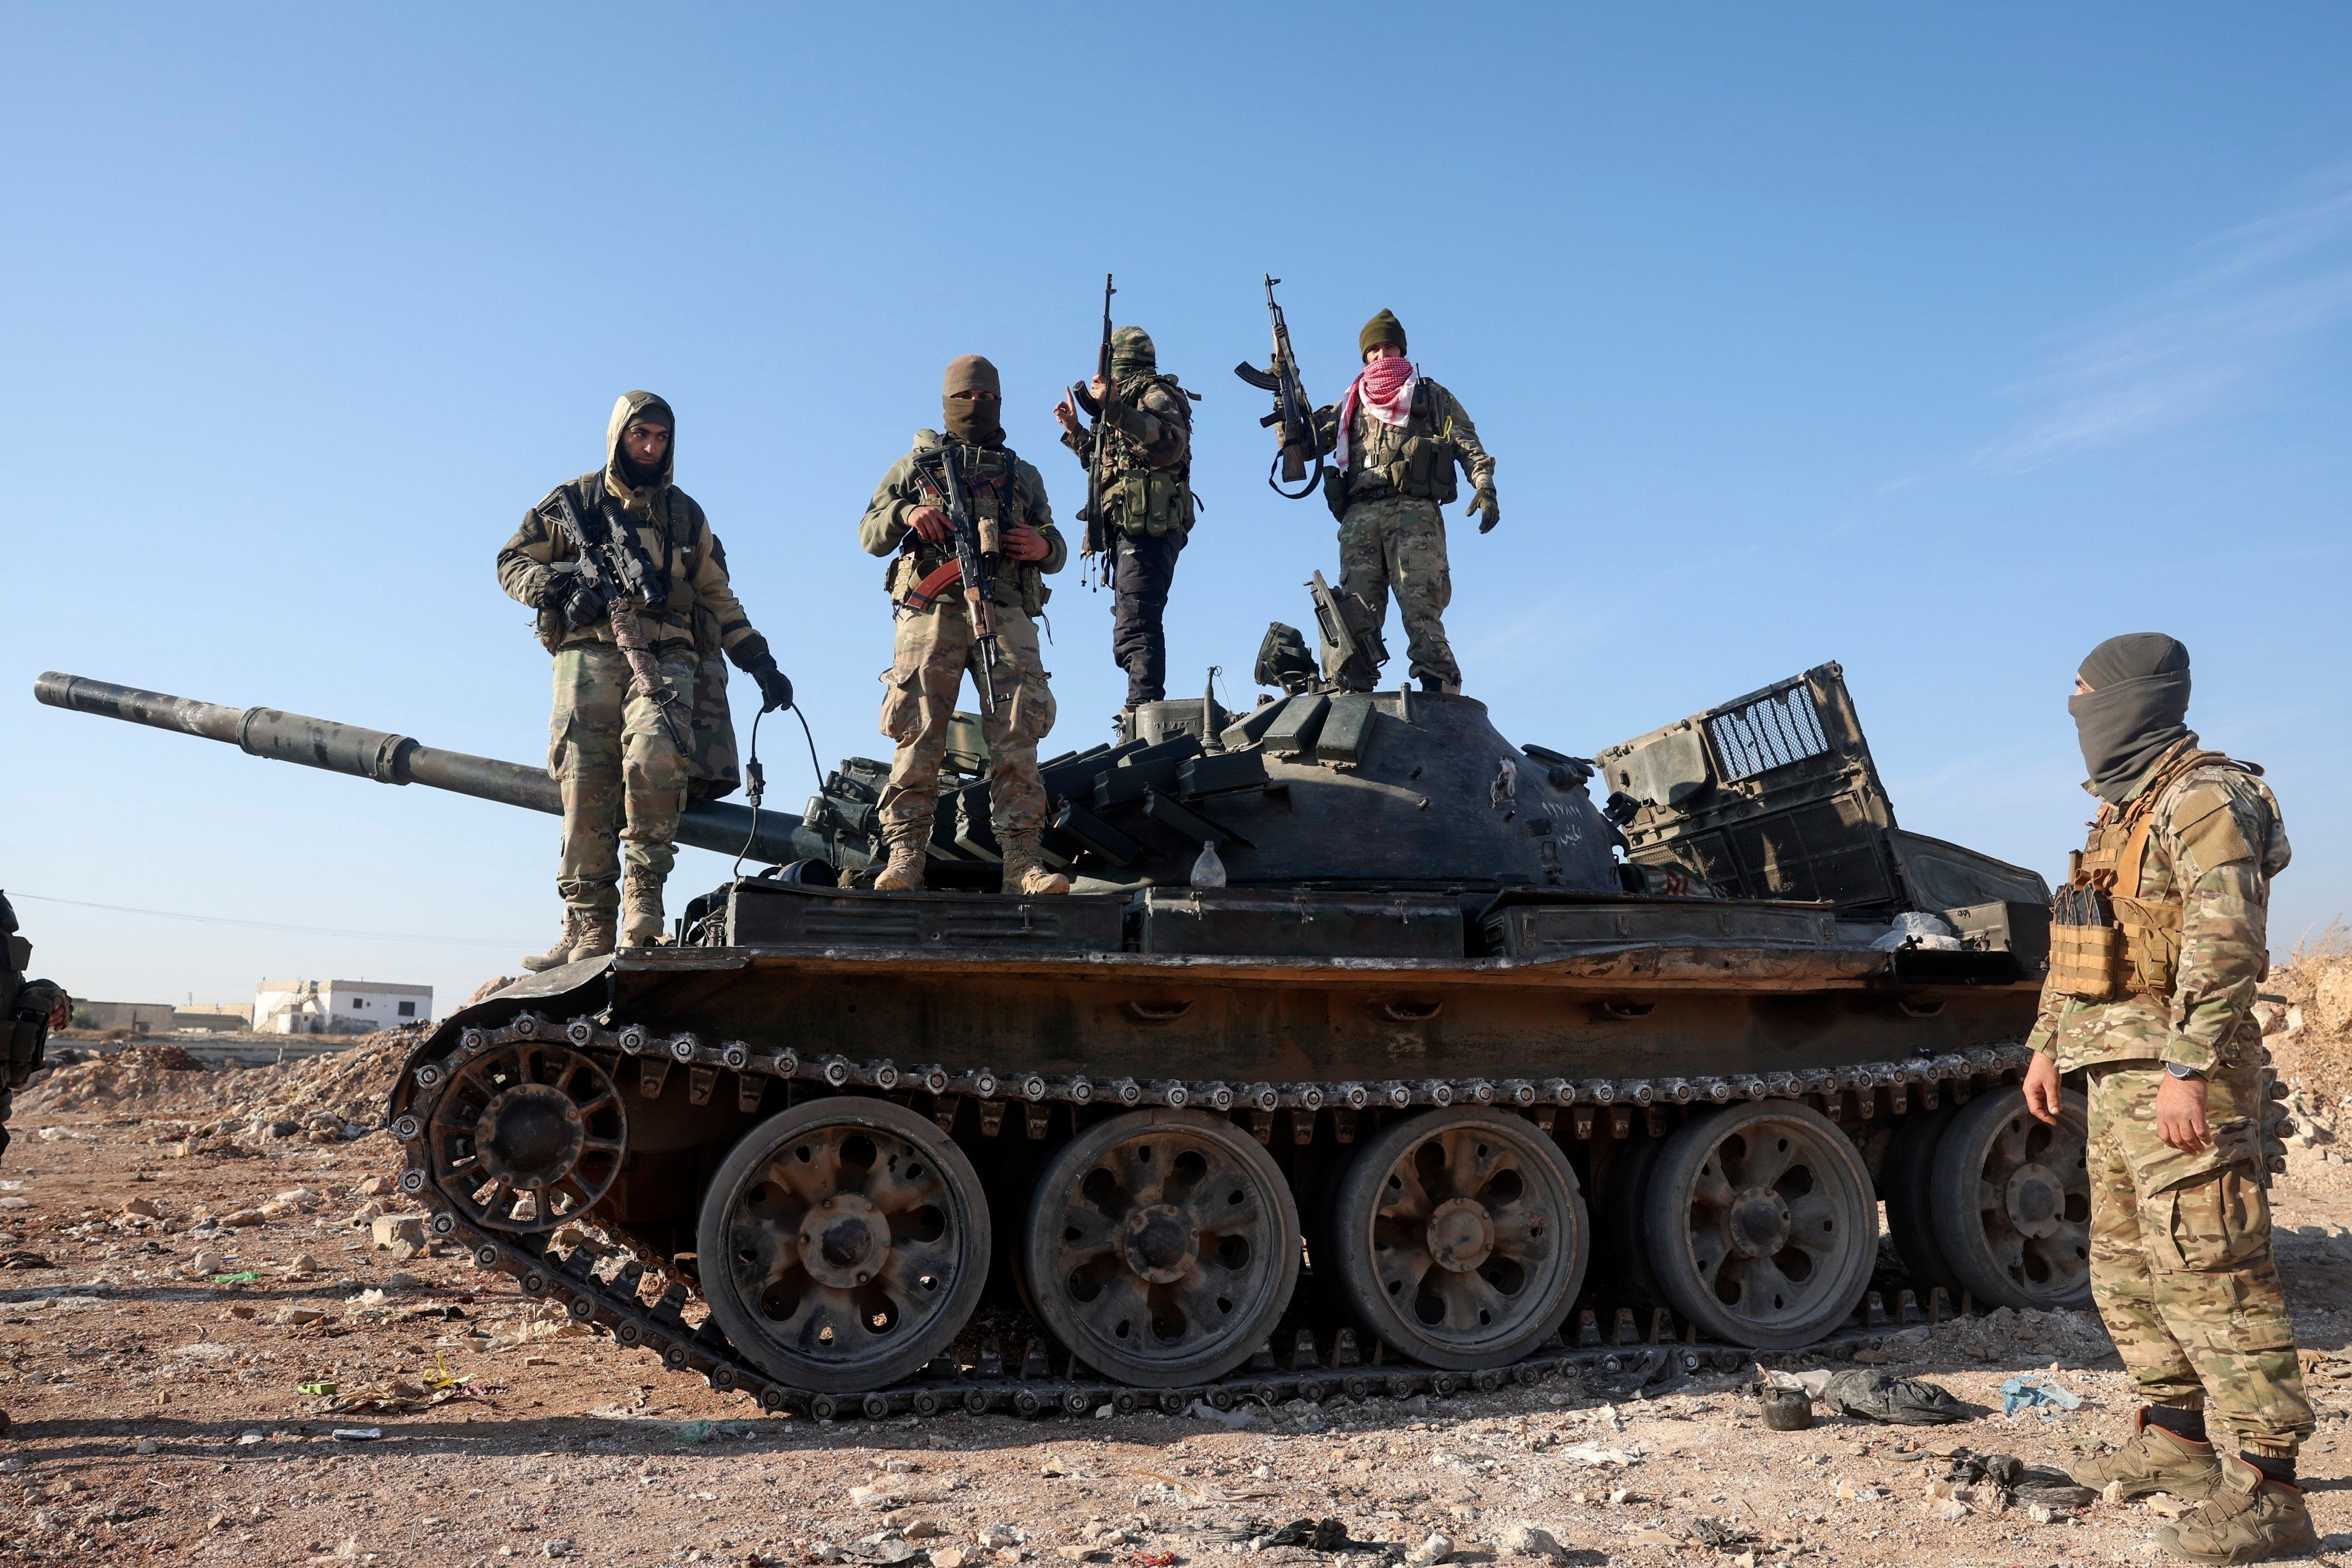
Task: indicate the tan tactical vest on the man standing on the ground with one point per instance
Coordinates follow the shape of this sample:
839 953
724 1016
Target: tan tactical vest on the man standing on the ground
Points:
2109 942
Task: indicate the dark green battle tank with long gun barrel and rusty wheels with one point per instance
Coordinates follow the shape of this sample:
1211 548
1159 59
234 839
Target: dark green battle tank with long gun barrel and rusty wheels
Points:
1372 1054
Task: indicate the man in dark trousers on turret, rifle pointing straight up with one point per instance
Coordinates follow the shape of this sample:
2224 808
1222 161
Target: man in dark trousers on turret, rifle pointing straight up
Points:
1147 504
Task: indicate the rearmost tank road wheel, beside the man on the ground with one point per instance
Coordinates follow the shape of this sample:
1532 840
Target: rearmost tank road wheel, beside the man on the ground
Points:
2012 1202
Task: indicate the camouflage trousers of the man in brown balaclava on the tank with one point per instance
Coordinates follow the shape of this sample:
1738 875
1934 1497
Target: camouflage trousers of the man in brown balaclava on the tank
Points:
935 652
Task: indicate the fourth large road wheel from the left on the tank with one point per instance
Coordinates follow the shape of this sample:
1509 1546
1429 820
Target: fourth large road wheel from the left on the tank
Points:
1763 1226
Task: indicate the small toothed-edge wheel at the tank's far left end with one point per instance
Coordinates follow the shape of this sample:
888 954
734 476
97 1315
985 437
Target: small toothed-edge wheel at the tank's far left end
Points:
528 1137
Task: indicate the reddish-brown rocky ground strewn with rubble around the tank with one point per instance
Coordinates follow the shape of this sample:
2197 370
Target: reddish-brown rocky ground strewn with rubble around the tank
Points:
220 1341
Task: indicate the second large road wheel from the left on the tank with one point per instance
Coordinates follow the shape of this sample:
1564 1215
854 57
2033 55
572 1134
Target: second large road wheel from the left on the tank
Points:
1163 1245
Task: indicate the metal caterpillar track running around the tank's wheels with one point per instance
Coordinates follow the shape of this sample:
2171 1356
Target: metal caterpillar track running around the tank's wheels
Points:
1309 1372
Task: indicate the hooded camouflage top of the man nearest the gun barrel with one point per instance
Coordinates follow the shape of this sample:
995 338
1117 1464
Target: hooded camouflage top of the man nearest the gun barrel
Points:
669 528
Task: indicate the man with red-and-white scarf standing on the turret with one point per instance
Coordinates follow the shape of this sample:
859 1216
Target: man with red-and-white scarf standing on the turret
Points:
1396 438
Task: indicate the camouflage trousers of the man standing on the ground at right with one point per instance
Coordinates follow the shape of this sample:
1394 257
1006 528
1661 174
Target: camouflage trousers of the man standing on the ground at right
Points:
2181 1259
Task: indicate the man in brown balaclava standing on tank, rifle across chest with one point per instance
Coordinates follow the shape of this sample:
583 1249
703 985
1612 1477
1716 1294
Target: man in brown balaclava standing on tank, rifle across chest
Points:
935 645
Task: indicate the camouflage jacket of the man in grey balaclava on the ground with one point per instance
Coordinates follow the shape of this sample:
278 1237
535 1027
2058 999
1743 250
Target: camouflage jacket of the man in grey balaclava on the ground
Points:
2214 845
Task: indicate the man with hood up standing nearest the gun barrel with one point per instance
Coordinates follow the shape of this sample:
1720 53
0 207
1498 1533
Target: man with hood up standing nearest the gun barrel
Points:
622 775
